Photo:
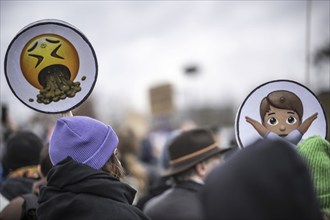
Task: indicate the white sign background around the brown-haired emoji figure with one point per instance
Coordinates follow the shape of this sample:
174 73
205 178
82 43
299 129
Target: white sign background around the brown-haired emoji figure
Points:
246 134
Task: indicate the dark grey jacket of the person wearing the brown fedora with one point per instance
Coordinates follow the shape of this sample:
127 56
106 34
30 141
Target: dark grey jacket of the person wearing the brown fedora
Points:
180 202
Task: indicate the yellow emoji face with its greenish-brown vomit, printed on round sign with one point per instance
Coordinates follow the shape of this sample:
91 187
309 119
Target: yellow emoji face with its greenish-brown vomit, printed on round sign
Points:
50 63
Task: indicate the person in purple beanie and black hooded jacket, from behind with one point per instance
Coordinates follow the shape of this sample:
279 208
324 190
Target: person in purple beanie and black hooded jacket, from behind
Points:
84 182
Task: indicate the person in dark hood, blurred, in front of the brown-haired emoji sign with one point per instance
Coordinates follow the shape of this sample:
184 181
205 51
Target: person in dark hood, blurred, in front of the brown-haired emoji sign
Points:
266 180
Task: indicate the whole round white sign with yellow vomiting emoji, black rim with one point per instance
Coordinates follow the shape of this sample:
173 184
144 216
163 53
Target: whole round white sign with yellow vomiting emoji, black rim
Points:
50 66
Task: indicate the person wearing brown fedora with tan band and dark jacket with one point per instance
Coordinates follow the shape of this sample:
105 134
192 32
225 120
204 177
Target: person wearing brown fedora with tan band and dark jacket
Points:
193 154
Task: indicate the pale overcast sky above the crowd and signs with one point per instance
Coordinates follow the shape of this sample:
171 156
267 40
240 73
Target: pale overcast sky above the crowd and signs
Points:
238 45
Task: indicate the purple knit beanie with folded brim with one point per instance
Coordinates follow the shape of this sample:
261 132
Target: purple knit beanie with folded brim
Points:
84 139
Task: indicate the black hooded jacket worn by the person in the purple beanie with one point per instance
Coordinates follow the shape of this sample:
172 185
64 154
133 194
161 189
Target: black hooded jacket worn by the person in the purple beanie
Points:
76 191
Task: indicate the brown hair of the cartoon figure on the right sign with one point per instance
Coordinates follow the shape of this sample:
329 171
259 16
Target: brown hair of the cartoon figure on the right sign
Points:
281 99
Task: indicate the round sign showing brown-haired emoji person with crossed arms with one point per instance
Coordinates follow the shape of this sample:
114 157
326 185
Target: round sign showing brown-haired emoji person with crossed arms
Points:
280 109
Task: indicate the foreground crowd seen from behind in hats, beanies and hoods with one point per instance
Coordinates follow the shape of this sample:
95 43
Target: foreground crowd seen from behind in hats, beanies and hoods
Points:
89 170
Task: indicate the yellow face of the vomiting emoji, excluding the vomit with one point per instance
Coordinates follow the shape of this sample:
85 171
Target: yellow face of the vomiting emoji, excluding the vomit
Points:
48 54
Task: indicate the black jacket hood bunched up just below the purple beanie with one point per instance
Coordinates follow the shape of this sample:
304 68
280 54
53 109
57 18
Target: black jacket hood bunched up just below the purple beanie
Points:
70 176
